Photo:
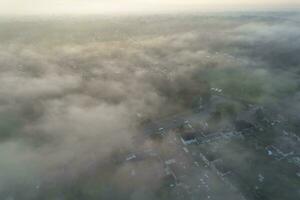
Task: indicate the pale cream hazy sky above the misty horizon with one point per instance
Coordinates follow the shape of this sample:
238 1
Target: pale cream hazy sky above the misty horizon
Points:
20 7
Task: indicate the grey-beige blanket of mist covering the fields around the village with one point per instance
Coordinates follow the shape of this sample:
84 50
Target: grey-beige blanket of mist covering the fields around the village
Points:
76 92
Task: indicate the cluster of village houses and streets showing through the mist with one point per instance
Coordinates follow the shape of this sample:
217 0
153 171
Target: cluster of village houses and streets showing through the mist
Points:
234 156
